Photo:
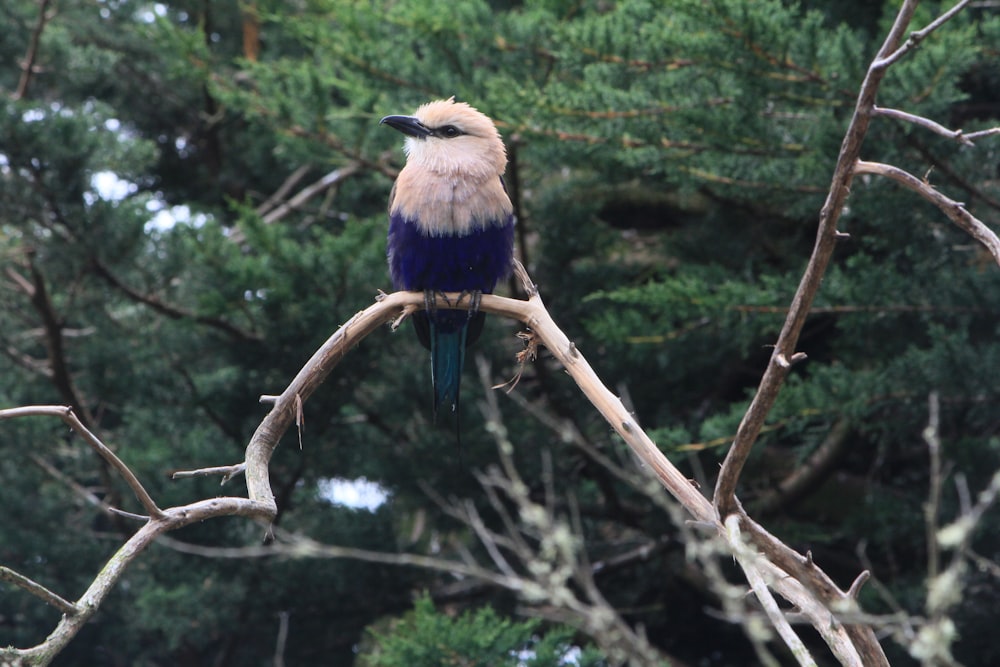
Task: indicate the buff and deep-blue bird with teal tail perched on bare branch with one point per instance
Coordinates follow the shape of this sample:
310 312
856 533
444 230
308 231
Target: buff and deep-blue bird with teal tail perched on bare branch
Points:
451 228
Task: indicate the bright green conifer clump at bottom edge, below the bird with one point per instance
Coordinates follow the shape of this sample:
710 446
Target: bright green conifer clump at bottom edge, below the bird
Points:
426 637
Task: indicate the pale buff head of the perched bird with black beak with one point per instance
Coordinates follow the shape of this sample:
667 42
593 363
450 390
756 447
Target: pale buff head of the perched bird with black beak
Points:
450 137
